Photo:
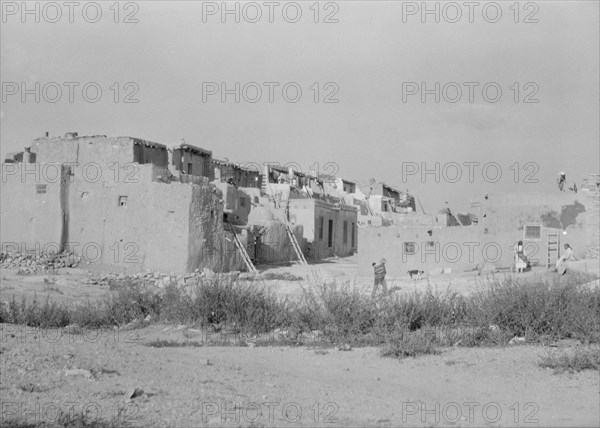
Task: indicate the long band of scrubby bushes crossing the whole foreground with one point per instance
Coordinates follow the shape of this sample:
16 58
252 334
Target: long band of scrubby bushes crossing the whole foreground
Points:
406 324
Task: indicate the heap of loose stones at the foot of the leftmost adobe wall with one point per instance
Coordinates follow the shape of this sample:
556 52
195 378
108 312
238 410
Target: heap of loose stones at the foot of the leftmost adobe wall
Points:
32 263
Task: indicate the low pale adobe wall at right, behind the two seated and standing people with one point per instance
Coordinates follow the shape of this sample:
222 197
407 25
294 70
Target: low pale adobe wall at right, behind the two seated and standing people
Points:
501 224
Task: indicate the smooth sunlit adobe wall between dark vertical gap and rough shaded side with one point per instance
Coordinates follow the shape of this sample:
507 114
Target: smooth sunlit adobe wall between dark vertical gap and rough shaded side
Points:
150 231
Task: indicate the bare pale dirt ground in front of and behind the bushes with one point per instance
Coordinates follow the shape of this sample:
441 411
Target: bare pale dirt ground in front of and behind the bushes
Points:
95 373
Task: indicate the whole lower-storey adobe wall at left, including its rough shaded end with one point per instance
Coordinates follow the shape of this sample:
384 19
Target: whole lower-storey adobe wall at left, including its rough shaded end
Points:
130 226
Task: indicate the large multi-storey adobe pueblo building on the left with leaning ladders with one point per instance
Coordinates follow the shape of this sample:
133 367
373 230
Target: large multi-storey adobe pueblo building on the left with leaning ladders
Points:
136 205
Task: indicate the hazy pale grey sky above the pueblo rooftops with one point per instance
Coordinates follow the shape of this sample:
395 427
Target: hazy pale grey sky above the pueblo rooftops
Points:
368 54
